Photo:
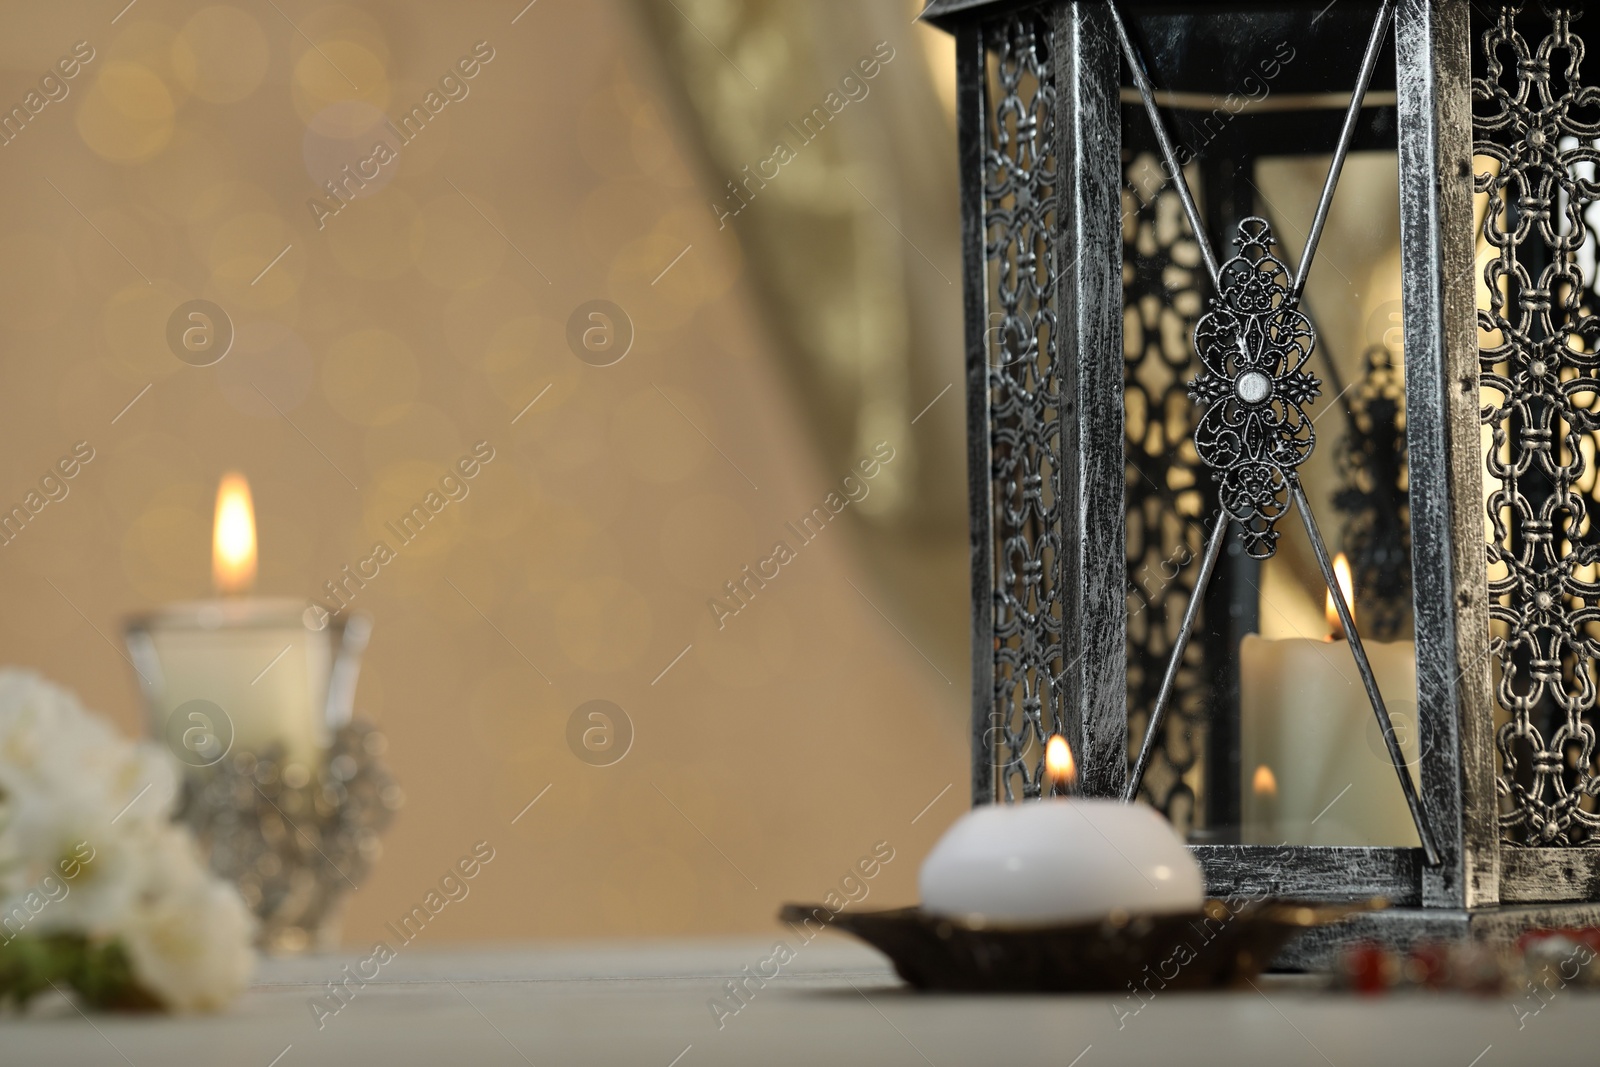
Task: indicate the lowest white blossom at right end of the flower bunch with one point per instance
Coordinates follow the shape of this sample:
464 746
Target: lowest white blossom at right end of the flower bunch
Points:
190 935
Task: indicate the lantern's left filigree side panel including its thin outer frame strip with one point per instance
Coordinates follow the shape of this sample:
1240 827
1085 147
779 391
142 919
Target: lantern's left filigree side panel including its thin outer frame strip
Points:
1009 140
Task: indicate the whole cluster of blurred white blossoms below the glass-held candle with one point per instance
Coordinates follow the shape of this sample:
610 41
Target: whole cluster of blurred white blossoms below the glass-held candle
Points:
87 847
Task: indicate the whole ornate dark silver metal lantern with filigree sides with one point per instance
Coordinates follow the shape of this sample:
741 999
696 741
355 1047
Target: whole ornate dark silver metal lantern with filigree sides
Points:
1145 375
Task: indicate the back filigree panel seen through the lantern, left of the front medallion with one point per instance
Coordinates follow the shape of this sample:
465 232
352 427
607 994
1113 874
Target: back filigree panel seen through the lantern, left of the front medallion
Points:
1166 492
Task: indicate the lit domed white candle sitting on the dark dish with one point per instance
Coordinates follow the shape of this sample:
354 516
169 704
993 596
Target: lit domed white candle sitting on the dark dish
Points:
1060 860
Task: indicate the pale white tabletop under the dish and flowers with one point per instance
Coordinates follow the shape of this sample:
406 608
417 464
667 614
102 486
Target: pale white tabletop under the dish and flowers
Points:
644 1005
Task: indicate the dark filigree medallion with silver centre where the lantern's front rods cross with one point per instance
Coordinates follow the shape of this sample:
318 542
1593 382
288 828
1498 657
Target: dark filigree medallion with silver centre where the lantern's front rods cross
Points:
1255 345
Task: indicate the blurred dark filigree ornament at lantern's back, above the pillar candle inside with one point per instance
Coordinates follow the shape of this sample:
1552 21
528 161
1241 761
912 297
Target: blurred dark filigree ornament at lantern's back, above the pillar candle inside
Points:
1377 535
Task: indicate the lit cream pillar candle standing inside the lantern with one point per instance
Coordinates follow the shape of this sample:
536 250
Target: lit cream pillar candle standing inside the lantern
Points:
1306 721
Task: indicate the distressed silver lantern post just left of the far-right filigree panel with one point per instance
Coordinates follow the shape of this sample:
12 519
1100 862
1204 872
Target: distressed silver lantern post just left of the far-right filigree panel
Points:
1450 580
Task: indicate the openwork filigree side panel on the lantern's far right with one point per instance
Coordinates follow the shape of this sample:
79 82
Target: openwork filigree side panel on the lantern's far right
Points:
1537 124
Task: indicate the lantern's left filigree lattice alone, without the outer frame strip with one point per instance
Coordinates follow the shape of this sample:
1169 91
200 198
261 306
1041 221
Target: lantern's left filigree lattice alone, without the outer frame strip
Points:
1025 399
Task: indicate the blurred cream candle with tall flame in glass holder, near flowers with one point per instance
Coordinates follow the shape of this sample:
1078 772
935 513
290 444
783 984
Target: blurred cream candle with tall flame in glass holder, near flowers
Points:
257 660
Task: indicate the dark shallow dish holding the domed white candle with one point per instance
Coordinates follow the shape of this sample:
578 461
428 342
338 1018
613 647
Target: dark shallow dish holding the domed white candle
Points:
1210 949
